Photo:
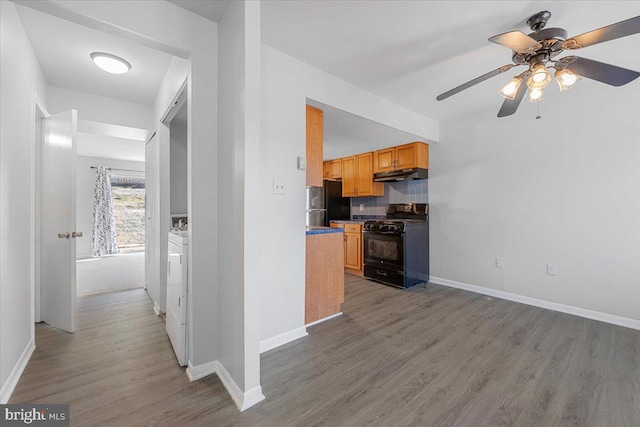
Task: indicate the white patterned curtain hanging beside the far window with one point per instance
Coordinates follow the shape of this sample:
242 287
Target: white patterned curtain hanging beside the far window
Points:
104 240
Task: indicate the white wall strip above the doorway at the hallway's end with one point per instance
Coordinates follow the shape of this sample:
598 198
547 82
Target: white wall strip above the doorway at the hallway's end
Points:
99 108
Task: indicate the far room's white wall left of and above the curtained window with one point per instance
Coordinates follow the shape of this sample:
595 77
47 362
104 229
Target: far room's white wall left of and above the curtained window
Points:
86 179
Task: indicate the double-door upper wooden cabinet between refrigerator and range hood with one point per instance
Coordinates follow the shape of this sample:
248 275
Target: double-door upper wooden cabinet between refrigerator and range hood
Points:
357 177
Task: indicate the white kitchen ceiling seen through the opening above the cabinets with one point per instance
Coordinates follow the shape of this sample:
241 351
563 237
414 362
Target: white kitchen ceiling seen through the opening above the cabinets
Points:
346 134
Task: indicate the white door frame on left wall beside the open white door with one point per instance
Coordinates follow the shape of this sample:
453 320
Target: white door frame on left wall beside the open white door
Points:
39 112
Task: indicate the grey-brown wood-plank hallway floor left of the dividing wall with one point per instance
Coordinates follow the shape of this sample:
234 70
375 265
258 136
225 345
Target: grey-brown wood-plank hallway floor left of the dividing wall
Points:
117 369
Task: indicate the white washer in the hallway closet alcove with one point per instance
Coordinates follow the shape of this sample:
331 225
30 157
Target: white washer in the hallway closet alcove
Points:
177 275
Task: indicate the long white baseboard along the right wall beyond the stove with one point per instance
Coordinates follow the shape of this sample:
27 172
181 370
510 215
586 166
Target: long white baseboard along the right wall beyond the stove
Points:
569 309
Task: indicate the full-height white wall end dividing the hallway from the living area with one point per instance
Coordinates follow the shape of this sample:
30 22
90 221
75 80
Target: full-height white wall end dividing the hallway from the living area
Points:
239 165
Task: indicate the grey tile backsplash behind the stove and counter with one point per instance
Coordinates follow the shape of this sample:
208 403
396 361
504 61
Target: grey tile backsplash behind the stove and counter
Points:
394 192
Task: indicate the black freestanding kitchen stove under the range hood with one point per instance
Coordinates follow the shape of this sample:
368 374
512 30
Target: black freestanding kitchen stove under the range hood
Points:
396 249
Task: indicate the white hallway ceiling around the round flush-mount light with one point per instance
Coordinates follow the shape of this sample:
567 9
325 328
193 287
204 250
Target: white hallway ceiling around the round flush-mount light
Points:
63 49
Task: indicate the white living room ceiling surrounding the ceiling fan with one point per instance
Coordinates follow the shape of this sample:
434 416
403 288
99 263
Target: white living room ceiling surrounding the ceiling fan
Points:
411 51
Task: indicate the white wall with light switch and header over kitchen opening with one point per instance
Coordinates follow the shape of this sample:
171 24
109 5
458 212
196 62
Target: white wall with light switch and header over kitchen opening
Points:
286 85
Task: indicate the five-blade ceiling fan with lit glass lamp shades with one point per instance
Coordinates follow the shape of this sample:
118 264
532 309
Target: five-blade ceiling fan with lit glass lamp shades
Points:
537 51
